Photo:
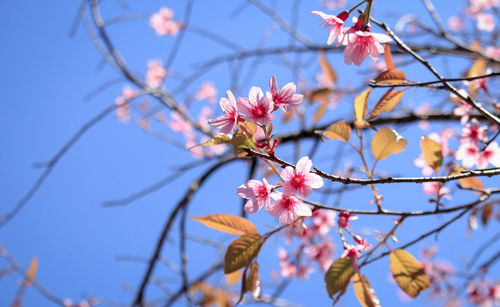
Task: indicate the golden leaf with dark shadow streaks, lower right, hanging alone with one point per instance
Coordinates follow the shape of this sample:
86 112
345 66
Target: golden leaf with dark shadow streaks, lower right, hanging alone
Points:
408 272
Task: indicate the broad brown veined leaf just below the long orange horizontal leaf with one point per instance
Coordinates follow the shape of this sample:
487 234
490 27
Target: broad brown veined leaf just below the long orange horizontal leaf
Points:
241 252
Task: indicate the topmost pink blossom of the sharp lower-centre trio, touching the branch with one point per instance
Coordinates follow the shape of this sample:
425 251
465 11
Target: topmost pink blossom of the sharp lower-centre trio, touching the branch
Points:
300 179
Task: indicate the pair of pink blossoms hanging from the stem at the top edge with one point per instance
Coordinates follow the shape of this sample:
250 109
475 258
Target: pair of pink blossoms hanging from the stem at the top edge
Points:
359 40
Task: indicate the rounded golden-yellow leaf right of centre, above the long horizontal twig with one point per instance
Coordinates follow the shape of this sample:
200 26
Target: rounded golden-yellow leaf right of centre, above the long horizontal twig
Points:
386 142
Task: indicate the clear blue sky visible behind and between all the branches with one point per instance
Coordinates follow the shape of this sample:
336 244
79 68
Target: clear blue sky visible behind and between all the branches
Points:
46 76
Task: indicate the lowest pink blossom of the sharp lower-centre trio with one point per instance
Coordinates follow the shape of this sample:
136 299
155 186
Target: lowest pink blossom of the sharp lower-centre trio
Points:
288 208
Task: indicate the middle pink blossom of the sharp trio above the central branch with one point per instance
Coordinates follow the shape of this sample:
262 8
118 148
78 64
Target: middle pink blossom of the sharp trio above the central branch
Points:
257 107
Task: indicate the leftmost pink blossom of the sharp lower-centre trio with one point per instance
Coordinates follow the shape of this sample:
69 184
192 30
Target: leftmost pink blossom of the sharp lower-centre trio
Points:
258 194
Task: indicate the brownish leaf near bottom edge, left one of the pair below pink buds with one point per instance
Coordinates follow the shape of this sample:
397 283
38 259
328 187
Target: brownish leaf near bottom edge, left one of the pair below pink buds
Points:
338 276
